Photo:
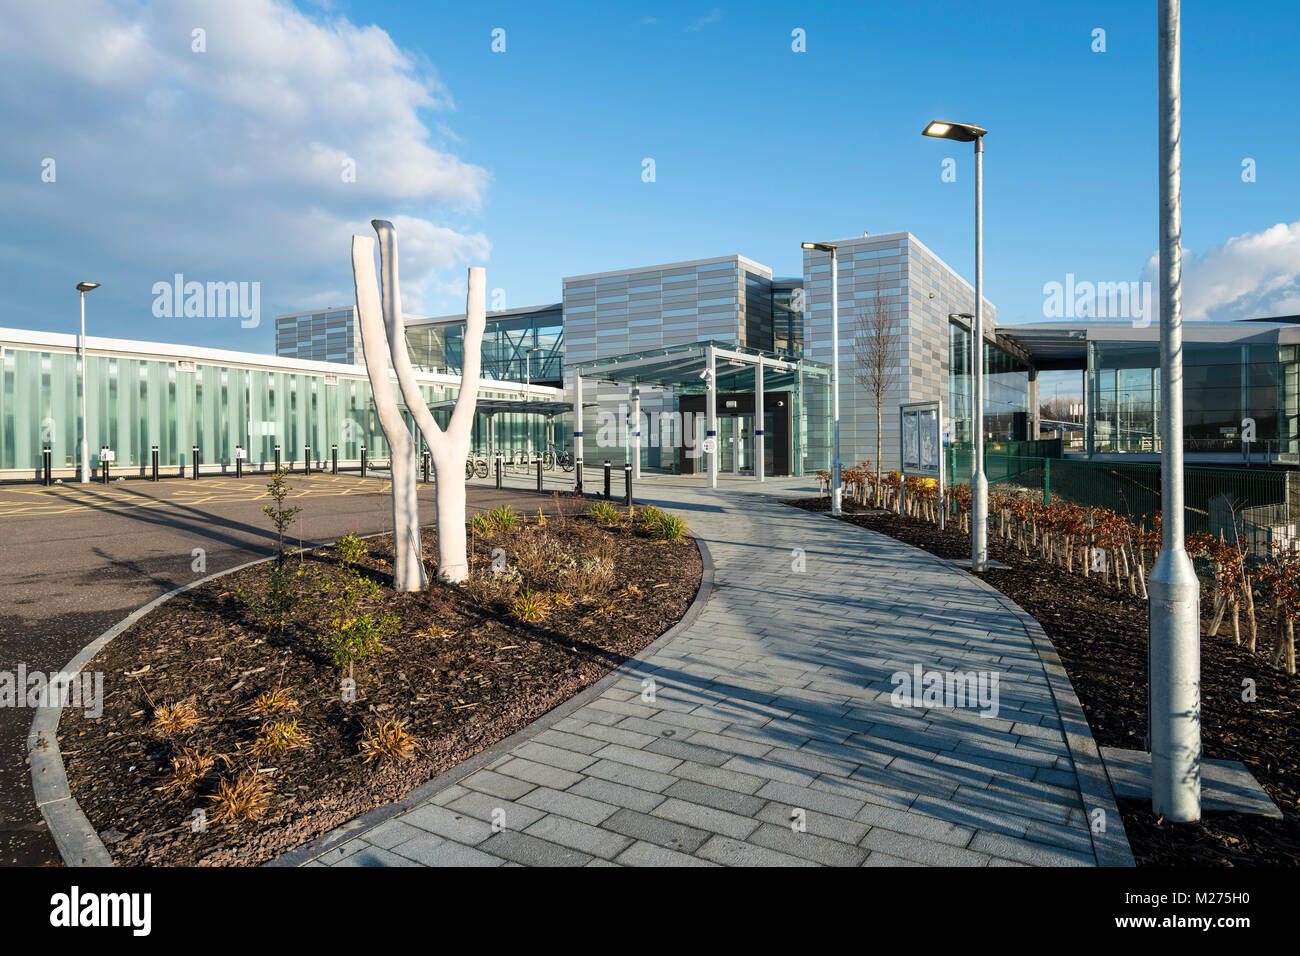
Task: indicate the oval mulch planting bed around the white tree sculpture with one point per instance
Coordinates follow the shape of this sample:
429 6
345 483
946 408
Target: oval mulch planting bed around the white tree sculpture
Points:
461 673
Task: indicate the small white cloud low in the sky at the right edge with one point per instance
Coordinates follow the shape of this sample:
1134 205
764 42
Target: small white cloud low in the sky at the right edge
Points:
1249 276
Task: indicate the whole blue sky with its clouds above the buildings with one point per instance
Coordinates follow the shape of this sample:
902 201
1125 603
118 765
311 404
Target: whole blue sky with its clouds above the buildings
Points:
224 165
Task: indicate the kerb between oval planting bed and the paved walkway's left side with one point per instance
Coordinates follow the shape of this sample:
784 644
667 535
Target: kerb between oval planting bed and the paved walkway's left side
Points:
356 828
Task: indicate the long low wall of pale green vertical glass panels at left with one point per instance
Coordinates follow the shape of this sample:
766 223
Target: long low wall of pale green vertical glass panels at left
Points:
137 401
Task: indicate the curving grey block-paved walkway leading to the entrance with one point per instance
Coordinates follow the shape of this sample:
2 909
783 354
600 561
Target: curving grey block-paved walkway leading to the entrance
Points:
770 737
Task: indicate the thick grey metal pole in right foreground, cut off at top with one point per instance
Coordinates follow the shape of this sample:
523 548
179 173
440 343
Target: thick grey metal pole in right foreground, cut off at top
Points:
1175 654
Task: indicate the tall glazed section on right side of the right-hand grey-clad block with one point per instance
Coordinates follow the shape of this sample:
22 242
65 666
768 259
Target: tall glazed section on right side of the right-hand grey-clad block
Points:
1007 391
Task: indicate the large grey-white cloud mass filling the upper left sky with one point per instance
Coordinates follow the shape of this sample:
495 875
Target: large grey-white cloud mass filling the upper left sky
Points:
229 162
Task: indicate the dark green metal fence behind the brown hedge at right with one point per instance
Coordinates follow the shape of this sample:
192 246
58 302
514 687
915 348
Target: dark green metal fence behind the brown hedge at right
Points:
1258 498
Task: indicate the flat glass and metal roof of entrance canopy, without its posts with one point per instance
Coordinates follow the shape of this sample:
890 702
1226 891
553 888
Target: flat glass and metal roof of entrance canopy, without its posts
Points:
681 366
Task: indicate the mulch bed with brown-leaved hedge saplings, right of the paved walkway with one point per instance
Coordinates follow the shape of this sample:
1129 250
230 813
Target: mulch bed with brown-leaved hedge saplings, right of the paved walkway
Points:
1102 637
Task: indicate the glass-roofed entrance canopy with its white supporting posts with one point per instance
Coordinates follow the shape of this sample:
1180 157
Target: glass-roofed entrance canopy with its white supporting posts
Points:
707 369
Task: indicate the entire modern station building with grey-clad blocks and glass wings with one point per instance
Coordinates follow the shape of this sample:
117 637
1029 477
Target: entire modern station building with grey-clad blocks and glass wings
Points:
647 339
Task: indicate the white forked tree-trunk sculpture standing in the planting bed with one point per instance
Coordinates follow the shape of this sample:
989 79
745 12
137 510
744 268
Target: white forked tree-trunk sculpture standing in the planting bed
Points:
449 448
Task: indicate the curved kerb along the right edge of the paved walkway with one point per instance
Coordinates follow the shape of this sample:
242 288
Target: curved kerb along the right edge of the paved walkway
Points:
1111 847
